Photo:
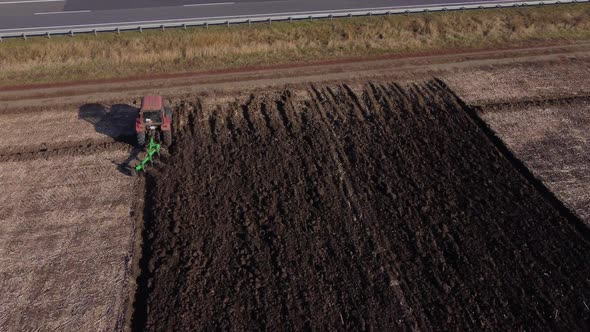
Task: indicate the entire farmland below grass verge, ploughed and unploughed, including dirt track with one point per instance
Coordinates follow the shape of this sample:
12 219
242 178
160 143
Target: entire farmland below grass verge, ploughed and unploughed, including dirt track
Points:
445 191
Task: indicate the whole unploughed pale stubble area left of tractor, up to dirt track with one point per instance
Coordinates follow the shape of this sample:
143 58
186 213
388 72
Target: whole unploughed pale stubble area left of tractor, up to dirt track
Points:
68 225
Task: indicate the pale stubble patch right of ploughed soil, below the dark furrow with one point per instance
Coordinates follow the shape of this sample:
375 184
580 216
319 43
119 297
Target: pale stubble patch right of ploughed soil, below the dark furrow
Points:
553 140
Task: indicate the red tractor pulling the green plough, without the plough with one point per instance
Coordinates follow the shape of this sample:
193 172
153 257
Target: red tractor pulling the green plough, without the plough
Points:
154 121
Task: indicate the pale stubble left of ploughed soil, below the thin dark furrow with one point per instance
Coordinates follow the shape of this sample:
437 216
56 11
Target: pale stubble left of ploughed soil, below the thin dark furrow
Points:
66 240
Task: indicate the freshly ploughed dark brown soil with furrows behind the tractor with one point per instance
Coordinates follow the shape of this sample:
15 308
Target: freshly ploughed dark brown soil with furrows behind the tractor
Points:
383 210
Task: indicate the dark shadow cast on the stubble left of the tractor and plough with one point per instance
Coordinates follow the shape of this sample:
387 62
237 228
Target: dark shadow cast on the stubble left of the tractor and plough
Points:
117 122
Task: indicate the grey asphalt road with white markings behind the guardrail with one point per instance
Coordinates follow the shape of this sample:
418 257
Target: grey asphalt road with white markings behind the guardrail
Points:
27 16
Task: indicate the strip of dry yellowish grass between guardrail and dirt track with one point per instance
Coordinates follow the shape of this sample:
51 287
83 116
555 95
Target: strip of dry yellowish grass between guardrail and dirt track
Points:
41 60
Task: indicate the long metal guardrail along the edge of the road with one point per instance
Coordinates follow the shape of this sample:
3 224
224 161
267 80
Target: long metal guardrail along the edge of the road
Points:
263 18
